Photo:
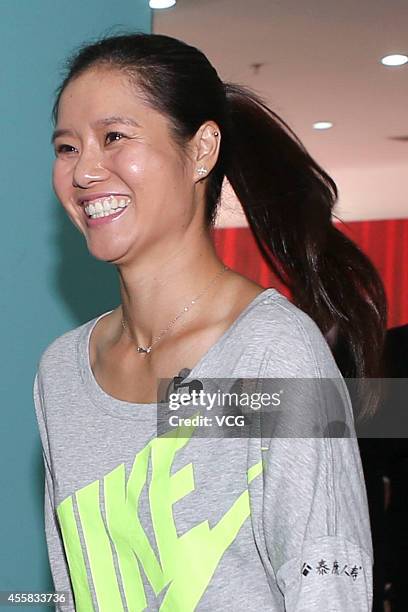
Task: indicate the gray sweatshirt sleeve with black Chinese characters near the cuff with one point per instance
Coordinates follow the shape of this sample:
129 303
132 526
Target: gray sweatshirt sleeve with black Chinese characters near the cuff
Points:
315 517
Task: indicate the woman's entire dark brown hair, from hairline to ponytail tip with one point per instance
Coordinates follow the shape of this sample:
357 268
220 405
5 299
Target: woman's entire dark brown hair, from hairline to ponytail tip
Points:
286 196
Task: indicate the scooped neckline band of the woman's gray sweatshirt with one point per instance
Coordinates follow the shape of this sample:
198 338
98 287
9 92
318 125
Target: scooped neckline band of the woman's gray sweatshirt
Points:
123 409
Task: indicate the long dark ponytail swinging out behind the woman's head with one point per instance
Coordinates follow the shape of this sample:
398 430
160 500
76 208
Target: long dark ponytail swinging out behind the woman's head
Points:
288 200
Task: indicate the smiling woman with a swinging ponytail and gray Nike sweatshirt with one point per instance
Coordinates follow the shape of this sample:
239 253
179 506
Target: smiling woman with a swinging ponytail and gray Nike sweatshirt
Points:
145 134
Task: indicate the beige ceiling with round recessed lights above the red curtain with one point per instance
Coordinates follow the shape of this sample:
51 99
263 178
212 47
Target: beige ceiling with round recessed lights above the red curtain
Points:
319 61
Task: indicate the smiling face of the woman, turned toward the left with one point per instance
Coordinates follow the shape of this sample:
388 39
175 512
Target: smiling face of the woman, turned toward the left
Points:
115 154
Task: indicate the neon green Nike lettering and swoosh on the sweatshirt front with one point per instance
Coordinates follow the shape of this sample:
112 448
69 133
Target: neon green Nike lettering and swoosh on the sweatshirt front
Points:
186 563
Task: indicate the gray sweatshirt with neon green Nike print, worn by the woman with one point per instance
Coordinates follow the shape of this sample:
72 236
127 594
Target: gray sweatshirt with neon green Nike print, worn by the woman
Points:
136 519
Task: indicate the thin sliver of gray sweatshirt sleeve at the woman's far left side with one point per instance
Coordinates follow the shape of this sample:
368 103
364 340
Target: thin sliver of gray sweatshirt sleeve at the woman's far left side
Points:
56 554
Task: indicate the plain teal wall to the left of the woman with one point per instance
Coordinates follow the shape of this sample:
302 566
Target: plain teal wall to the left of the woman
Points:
49 282
